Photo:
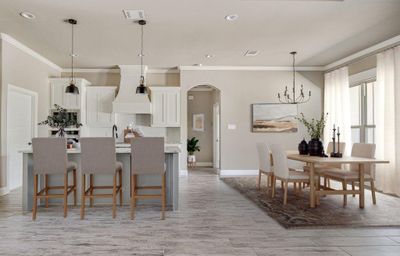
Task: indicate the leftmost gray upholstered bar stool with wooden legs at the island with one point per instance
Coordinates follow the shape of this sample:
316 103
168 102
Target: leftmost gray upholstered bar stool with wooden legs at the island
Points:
50 158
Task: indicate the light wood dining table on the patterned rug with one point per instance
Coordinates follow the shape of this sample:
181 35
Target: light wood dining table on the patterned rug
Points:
316 192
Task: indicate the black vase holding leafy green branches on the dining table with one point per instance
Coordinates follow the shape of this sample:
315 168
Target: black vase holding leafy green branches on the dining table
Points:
315 128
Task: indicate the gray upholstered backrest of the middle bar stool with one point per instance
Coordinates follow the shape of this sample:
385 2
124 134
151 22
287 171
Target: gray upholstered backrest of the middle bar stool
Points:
98 155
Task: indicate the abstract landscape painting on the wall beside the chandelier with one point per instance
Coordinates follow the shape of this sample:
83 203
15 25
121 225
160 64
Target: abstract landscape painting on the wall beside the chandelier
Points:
274 117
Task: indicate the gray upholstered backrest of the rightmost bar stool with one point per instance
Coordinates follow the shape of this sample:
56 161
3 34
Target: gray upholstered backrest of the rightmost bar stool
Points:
147 155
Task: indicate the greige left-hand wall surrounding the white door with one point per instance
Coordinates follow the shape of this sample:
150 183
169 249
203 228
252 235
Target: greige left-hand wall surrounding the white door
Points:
21 69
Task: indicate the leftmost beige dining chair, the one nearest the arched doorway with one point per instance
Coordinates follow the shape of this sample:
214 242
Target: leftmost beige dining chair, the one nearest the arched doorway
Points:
264 163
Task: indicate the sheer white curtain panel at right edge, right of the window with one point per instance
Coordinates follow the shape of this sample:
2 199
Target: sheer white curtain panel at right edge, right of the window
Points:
387 120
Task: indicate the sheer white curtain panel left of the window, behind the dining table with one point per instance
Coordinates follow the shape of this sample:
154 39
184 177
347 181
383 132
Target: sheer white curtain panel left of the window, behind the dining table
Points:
337 105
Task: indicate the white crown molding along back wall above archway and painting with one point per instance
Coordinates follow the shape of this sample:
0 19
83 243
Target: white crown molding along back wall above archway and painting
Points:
250 68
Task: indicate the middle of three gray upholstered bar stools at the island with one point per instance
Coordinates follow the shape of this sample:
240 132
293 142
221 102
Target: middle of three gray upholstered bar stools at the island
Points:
98 156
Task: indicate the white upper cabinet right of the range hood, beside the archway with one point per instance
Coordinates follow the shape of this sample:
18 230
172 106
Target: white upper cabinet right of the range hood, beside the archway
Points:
165 106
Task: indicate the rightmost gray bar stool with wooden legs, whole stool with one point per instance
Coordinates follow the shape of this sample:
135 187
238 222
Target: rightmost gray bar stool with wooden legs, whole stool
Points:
147 157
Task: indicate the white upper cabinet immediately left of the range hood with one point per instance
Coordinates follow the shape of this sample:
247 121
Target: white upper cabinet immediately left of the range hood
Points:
99 109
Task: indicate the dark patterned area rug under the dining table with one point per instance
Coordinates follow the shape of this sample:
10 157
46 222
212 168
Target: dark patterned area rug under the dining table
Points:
330 212
